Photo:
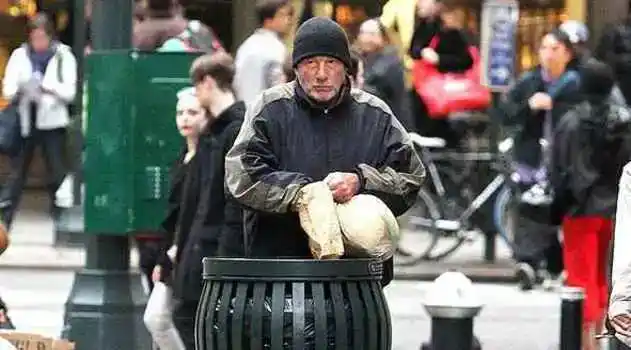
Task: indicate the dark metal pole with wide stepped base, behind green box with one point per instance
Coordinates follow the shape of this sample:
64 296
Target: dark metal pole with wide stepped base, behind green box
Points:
105 306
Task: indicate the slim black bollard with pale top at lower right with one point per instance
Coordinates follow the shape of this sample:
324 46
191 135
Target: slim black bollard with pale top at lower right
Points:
571 318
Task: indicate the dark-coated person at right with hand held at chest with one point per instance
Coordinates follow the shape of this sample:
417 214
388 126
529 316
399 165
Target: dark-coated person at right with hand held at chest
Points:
533 108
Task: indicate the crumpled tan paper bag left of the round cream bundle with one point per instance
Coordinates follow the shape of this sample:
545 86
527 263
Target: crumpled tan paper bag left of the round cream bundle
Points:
318 218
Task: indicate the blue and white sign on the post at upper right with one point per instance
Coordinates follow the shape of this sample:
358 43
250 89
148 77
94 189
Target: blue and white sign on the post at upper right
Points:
499 46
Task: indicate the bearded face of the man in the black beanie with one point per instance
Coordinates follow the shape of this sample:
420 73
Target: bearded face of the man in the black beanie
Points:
321 77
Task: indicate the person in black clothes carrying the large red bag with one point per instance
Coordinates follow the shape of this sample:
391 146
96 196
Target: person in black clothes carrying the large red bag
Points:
443 44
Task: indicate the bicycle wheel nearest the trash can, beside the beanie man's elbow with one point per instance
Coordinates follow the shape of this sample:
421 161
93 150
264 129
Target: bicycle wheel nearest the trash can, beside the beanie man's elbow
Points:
416 240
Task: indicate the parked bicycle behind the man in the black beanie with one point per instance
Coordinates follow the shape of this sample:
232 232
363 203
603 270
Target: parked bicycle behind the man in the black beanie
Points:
440 222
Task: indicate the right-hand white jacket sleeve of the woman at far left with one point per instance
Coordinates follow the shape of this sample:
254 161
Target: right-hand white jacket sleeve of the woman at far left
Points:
65 89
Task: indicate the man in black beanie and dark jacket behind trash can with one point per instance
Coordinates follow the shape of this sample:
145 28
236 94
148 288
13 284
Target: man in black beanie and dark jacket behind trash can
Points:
300 132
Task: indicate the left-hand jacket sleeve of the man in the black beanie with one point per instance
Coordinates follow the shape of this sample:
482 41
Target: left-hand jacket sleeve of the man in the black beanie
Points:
253 175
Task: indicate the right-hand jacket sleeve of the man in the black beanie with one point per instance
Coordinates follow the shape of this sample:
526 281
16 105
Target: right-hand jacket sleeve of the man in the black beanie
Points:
398 178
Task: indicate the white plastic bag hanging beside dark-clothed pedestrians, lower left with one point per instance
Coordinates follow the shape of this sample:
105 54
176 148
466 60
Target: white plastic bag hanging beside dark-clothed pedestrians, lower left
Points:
158 318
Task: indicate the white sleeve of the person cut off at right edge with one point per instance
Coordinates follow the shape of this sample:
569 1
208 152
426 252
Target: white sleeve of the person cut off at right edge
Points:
620 302
